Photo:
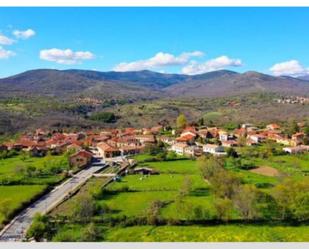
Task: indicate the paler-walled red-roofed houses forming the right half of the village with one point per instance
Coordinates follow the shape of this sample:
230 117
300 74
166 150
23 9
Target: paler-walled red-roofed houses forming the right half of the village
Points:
193 142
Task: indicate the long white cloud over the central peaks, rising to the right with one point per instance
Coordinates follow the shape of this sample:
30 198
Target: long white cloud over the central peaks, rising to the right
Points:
160 59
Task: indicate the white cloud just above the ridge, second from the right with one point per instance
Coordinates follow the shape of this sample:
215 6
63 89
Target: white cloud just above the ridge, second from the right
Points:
211 65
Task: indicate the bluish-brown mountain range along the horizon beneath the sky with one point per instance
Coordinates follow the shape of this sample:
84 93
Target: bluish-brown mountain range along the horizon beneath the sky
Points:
146 84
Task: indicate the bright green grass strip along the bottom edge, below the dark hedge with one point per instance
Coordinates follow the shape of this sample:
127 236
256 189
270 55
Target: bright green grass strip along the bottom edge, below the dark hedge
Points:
219 233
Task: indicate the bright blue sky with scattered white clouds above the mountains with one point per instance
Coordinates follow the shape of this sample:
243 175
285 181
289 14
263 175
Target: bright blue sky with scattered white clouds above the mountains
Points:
170 40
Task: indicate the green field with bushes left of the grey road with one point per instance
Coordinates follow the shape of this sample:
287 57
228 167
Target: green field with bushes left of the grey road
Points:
22 178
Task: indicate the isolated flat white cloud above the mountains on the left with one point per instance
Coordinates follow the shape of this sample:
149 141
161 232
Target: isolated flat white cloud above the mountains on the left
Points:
66 56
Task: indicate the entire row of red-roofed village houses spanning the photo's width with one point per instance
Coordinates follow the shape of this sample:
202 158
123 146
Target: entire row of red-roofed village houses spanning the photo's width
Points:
191 141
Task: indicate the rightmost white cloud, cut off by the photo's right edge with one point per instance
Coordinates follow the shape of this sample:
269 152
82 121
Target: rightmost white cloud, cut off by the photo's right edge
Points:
290 68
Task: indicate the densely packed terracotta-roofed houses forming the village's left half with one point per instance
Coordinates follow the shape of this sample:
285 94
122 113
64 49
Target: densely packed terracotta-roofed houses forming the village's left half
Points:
109 143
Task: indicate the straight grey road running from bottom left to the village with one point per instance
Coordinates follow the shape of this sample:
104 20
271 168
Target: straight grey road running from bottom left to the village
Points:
15 231
